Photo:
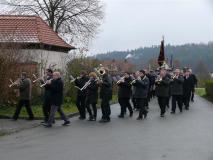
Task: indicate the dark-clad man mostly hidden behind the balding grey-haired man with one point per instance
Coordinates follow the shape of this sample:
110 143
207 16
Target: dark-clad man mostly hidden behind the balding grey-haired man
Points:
47 97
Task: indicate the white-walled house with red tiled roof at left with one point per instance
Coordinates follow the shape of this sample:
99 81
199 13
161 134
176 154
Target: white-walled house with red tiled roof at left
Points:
39 43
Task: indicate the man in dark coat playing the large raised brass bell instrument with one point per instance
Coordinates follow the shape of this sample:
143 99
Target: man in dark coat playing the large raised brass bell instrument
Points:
105 96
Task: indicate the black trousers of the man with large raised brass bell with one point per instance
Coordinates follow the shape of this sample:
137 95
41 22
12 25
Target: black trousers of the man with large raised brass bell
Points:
105 108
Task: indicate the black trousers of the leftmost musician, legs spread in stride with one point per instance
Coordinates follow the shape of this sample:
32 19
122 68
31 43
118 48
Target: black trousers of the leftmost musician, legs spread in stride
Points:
22 103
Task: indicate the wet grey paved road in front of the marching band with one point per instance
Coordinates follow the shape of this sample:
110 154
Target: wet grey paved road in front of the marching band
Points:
186 136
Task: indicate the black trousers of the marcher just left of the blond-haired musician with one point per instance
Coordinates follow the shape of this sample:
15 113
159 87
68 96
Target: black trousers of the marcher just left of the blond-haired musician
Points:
80 103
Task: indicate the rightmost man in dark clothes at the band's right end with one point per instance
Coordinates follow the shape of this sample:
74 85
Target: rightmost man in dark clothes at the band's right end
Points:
187 88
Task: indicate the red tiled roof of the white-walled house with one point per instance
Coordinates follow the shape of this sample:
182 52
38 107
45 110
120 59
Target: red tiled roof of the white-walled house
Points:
29 29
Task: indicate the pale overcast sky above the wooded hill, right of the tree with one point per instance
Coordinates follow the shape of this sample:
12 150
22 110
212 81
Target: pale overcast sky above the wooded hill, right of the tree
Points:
130 24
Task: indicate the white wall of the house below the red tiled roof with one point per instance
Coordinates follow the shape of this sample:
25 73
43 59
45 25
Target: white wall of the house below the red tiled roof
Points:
45 58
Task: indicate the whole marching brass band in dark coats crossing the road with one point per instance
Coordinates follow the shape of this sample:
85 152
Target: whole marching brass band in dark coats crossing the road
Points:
139 87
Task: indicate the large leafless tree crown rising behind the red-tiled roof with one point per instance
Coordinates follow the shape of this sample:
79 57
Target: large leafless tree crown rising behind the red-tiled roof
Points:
77 21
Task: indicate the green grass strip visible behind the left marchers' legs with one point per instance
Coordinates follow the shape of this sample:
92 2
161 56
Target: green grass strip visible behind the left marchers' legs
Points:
68 108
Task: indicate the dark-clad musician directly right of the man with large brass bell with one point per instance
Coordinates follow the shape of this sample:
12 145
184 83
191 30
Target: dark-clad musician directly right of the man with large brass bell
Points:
124 94
